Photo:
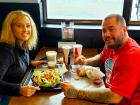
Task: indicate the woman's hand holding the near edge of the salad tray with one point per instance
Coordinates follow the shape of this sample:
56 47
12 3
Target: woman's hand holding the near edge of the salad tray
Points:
28 90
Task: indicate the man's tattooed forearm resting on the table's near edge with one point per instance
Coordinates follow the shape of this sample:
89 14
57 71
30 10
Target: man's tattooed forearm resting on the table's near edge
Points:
99 95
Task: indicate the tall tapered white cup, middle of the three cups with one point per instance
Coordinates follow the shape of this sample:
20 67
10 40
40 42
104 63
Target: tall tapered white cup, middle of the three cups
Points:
66 52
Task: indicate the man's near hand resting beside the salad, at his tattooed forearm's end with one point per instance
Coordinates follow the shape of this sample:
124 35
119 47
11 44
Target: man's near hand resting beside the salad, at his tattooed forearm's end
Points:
69 90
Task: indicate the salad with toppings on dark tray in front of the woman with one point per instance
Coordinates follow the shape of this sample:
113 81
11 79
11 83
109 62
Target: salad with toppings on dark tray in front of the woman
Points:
47 79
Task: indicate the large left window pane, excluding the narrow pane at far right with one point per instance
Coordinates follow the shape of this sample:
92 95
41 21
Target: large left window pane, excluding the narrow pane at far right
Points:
80 11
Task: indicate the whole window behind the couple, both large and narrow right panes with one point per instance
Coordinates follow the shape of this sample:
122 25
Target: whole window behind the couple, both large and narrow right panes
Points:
90 11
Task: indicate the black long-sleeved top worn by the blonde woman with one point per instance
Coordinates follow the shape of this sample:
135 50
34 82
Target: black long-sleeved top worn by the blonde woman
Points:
14 61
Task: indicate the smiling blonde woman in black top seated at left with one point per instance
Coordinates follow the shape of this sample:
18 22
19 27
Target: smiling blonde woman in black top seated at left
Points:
18 36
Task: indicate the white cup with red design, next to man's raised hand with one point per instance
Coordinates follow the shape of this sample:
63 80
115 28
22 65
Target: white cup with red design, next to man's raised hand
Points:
77 50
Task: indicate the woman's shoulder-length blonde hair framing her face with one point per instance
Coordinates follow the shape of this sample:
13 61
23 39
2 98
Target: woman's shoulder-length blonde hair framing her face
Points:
7 34
